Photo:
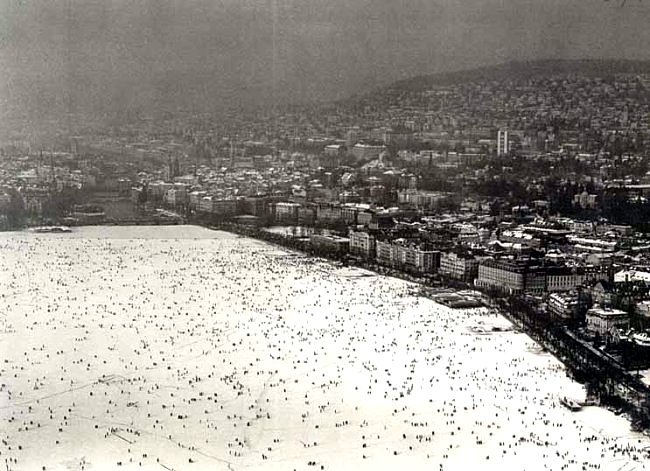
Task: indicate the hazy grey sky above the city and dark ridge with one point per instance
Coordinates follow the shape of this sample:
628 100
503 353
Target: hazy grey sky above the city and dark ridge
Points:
116 54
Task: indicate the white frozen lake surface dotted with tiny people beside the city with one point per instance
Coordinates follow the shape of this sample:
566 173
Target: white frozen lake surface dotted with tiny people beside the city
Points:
182 348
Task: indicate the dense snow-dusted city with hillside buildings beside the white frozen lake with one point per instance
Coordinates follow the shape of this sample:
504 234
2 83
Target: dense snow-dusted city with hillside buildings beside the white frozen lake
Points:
524 187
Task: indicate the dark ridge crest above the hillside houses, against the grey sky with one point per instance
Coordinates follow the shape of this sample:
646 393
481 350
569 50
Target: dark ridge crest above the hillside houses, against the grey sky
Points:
524 70
